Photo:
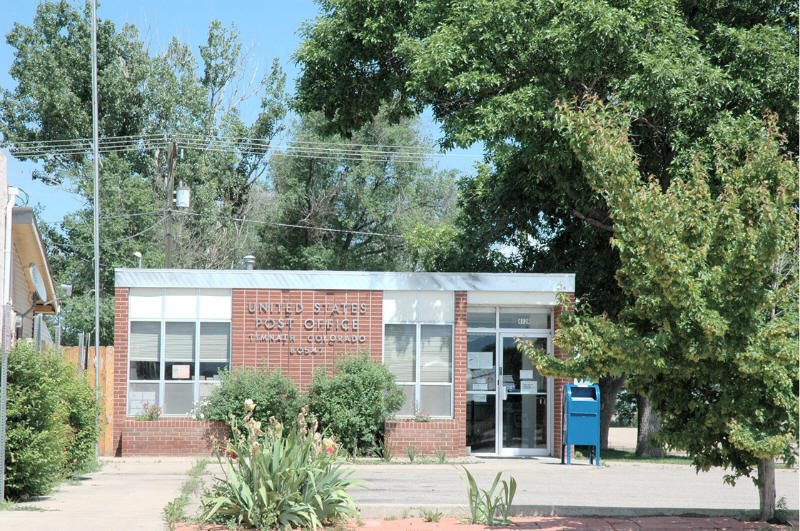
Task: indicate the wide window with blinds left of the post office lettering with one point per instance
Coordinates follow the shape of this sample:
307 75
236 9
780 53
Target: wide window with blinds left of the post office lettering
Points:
178 371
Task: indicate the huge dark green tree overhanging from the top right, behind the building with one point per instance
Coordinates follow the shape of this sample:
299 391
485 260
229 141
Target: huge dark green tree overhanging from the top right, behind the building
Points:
490 71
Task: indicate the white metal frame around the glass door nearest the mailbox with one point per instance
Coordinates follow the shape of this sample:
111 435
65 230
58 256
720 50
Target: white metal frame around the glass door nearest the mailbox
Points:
500 450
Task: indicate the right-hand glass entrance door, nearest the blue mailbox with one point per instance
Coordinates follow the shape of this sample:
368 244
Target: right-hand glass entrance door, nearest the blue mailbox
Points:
523 396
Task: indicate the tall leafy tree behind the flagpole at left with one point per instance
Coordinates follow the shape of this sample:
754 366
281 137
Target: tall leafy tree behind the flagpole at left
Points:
163 111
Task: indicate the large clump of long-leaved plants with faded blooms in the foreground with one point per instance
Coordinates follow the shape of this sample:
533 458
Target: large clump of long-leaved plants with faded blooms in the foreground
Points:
284 478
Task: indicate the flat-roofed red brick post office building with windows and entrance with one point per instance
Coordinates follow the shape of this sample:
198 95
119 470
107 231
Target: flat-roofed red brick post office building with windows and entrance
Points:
449 339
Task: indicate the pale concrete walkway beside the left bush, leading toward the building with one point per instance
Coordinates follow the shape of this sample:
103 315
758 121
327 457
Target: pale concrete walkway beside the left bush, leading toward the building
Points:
126 494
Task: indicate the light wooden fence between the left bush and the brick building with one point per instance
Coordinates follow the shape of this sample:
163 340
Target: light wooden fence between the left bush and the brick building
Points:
106 370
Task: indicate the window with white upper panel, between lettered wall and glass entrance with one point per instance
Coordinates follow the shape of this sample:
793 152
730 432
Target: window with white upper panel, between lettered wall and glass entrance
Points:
418 350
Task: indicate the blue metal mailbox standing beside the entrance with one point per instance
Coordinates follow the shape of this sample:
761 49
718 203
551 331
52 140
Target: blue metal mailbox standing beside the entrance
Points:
580 420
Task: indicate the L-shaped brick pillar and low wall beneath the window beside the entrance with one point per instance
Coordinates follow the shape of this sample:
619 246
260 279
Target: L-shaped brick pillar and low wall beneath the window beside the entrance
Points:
449 435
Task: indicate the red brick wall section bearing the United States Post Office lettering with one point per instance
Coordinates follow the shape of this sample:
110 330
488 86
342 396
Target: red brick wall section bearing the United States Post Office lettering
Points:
271 355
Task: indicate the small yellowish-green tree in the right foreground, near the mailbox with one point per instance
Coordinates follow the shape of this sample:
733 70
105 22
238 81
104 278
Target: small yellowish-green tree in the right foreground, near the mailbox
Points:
711 264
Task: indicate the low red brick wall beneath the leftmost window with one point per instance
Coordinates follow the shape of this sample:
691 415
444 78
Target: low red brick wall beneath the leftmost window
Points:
170 436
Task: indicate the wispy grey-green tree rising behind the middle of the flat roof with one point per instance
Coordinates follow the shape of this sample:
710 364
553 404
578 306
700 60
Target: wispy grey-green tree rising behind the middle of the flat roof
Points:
366 199
